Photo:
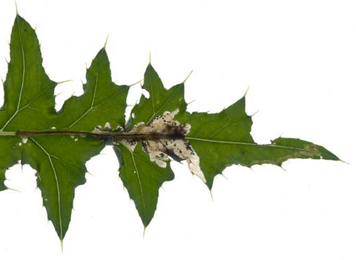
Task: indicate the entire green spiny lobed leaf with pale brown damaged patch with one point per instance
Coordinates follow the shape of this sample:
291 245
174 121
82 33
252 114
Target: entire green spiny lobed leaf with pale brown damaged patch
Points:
57 146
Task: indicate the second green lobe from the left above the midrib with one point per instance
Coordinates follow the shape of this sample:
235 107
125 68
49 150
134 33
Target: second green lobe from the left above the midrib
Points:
102 102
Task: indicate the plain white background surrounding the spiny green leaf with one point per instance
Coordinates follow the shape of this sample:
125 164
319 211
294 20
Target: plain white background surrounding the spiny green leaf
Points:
299 59
